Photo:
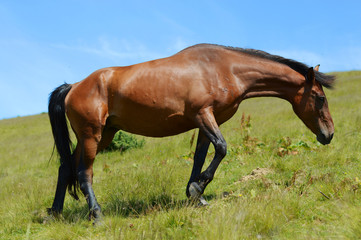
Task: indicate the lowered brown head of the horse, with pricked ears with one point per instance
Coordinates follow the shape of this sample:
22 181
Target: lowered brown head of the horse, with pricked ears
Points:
310 105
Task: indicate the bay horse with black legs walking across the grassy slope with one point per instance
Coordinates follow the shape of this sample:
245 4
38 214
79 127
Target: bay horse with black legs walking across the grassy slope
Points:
199 87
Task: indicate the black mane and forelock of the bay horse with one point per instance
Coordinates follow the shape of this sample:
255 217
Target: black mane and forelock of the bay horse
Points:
323 79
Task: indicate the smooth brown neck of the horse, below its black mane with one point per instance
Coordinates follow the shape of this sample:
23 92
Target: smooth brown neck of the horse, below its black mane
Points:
270 80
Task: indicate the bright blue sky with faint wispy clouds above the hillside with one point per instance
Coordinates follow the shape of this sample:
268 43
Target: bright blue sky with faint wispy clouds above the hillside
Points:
46 43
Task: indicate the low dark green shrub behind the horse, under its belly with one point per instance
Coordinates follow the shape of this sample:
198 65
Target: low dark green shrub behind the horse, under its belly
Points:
123 141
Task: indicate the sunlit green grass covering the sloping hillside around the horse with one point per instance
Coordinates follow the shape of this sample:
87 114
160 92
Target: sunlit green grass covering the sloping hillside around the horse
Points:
311 191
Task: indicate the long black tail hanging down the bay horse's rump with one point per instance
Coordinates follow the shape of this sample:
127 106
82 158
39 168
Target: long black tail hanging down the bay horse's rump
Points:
60 130
